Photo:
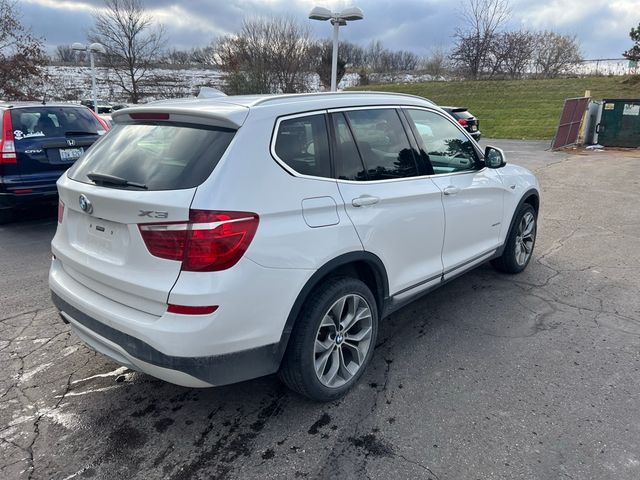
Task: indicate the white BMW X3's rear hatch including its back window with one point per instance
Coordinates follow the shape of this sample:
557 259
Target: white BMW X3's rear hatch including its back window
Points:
140 173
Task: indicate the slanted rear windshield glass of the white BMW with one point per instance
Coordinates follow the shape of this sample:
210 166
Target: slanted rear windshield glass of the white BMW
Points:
159 156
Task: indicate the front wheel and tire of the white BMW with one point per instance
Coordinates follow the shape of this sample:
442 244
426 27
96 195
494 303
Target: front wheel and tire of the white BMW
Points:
518 248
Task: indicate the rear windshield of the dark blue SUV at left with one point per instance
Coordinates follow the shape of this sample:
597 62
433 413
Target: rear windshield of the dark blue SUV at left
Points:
50 121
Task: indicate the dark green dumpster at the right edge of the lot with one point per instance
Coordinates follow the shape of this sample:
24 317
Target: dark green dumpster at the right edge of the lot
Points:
620 123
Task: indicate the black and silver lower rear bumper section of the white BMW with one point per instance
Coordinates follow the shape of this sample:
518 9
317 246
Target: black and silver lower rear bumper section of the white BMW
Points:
187 371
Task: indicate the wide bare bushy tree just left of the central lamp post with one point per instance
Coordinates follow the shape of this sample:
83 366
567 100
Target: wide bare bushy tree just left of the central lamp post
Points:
268 55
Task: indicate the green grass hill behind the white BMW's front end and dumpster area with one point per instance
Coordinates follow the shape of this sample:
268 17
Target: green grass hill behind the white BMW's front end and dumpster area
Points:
521 109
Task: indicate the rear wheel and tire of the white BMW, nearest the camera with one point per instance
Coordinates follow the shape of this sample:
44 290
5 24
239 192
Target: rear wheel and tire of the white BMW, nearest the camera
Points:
332 341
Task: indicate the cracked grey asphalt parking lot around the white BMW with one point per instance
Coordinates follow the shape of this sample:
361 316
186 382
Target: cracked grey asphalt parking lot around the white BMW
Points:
534 376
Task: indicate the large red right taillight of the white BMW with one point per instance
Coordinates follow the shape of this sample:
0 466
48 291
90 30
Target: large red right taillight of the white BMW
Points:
209 242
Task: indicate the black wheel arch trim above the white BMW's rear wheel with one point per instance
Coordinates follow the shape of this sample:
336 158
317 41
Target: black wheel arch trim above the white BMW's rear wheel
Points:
365 266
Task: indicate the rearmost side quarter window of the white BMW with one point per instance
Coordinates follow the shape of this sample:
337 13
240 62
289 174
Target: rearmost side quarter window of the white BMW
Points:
302 144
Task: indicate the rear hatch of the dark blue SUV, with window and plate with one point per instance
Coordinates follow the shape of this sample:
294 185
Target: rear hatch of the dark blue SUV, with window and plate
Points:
49 139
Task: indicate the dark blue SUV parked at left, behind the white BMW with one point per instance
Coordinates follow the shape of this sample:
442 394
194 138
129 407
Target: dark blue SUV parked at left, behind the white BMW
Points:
39 142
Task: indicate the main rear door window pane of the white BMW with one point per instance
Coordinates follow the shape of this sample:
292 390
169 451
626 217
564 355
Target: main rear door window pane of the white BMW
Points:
383 144
